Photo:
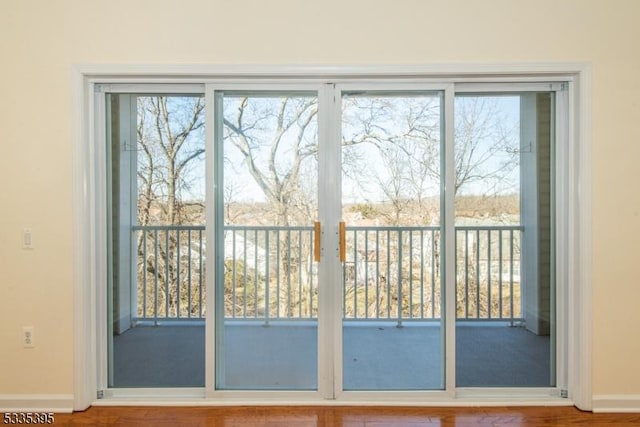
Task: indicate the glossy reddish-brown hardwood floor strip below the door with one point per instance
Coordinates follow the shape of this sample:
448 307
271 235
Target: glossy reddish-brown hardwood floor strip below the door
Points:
318 416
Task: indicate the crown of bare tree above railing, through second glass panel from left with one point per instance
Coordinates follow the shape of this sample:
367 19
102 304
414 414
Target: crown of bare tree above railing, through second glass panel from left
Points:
273 138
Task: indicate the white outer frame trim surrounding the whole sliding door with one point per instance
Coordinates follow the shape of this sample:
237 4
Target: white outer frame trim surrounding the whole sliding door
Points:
89 215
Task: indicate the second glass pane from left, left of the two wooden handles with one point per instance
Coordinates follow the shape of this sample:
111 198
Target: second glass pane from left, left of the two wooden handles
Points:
267 296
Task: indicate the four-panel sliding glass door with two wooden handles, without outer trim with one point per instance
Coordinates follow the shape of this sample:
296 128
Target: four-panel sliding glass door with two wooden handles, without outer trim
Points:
333 239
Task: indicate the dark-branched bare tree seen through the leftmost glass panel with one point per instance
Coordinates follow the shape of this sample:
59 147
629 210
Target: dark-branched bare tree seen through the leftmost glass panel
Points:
170 144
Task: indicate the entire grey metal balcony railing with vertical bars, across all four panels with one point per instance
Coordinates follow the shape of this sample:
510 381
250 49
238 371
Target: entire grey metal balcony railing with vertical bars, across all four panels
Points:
390 273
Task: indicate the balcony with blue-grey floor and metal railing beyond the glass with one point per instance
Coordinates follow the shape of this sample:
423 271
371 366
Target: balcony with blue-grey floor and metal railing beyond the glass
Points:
391 299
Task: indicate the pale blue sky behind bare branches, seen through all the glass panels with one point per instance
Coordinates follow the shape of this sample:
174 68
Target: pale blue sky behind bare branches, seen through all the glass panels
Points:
389 155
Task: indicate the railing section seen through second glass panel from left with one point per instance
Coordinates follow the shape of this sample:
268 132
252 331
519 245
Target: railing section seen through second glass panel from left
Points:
278 255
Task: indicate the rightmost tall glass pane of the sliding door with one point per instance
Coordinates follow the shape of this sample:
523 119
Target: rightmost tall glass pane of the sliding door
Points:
504 243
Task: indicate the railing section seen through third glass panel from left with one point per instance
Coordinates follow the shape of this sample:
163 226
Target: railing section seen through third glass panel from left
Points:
392 273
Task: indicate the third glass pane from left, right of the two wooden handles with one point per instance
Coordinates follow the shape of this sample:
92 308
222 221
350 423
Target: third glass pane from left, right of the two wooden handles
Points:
393 337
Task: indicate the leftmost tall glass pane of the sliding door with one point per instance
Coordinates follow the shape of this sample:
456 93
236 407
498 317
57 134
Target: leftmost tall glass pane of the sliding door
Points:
156 281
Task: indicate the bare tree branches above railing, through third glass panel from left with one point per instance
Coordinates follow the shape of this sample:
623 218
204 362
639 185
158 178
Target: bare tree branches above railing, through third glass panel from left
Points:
390 149
